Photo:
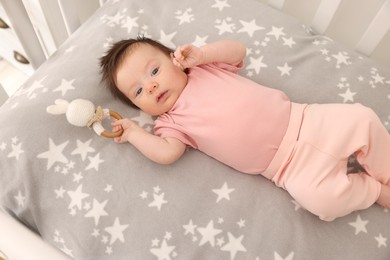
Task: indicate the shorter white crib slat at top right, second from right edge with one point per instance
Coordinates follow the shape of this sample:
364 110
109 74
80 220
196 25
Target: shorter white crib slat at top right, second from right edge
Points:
324 15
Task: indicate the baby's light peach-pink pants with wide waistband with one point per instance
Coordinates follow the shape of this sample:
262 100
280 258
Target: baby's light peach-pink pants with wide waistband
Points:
311 163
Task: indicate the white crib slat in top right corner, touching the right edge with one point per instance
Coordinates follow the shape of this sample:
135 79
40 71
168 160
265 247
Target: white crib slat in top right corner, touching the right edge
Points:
377 29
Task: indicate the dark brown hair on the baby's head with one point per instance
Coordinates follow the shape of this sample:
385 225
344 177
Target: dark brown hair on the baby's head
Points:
114 57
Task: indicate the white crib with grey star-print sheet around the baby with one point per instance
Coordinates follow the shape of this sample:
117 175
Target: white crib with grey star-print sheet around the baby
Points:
66 193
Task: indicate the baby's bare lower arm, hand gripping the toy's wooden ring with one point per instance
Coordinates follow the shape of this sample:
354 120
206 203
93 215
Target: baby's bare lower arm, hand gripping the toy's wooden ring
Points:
157 149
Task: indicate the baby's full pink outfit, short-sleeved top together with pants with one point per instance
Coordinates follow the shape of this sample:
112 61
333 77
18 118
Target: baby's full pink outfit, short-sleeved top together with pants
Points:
301 148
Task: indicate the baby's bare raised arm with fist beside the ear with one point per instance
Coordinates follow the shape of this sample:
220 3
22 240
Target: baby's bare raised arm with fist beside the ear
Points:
226 51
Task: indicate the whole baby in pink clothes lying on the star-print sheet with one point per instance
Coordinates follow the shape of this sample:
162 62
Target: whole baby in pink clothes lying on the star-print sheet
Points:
201 101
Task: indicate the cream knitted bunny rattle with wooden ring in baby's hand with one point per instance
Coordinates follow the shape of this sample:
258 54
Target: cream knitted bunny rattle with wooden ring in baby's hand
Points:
82 112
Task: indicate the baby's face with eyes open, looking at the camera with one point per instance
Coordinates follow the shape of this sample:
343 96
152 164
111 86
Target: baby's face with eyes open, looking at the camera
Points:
150 80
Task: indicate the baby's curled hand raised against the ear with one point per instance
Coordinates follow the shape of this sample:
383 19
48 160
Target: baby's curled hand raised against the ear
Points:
187 56
